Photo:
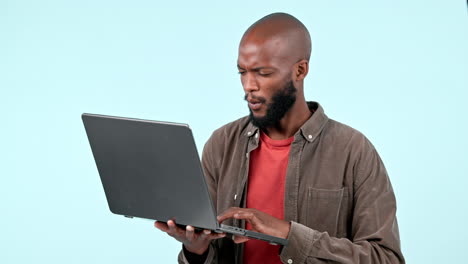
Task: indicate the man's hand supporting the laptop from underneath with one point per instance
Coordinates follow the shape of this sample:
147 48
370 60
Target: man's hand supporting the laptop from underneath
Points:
196 243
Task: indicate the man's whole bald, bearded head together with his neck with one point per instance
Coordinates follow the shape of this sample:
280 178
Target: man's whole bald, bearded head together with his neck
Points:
273 61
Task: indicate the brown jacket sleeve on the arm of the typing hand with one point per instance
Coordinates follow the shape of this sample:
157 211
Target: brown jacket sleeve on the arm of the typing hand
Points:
374 230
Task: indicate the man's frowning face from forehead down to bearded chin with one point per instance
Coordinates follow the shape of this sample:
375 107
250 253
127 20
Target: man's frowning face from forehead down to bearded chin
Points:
266 79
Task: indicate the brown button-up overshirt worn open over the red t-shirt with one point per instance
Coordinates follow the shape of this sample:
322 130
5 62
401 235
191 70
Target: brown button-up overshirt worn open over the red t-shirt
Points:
338 196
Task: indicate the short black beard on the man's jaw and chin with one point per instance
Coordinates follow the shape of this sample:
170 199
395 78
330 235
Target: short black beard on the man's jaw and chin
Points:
281 103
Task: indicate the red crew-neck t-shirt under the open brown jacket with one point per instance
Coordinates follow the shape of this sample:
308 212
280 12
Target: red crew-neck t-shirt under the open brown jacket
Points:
265 192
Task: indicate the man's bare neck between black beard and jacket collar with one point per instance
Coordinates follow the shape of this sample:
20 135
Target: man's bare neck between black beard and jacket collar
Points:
291 122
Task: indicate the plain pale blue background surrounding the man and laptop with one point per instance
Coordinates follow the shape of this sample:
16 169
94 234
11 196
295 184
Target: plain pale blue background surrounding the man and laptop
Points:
395 70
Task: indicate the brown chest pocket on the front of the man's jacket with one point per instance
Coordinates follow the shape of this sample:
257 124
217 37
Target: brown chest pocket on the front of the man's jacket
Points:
323 209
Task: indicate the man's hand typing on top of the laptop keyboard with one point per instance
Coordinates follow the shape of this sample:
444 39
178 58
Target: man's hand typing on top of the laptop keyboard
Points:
261 222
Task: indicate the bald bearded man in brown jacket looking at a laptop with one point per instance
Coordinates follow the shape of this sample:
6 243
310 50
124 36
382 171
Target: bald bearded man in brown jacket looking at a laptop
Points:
287 170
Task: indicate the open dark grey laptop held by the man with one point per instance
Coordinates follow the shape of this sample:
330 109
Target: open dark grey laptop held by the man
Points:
152 170
